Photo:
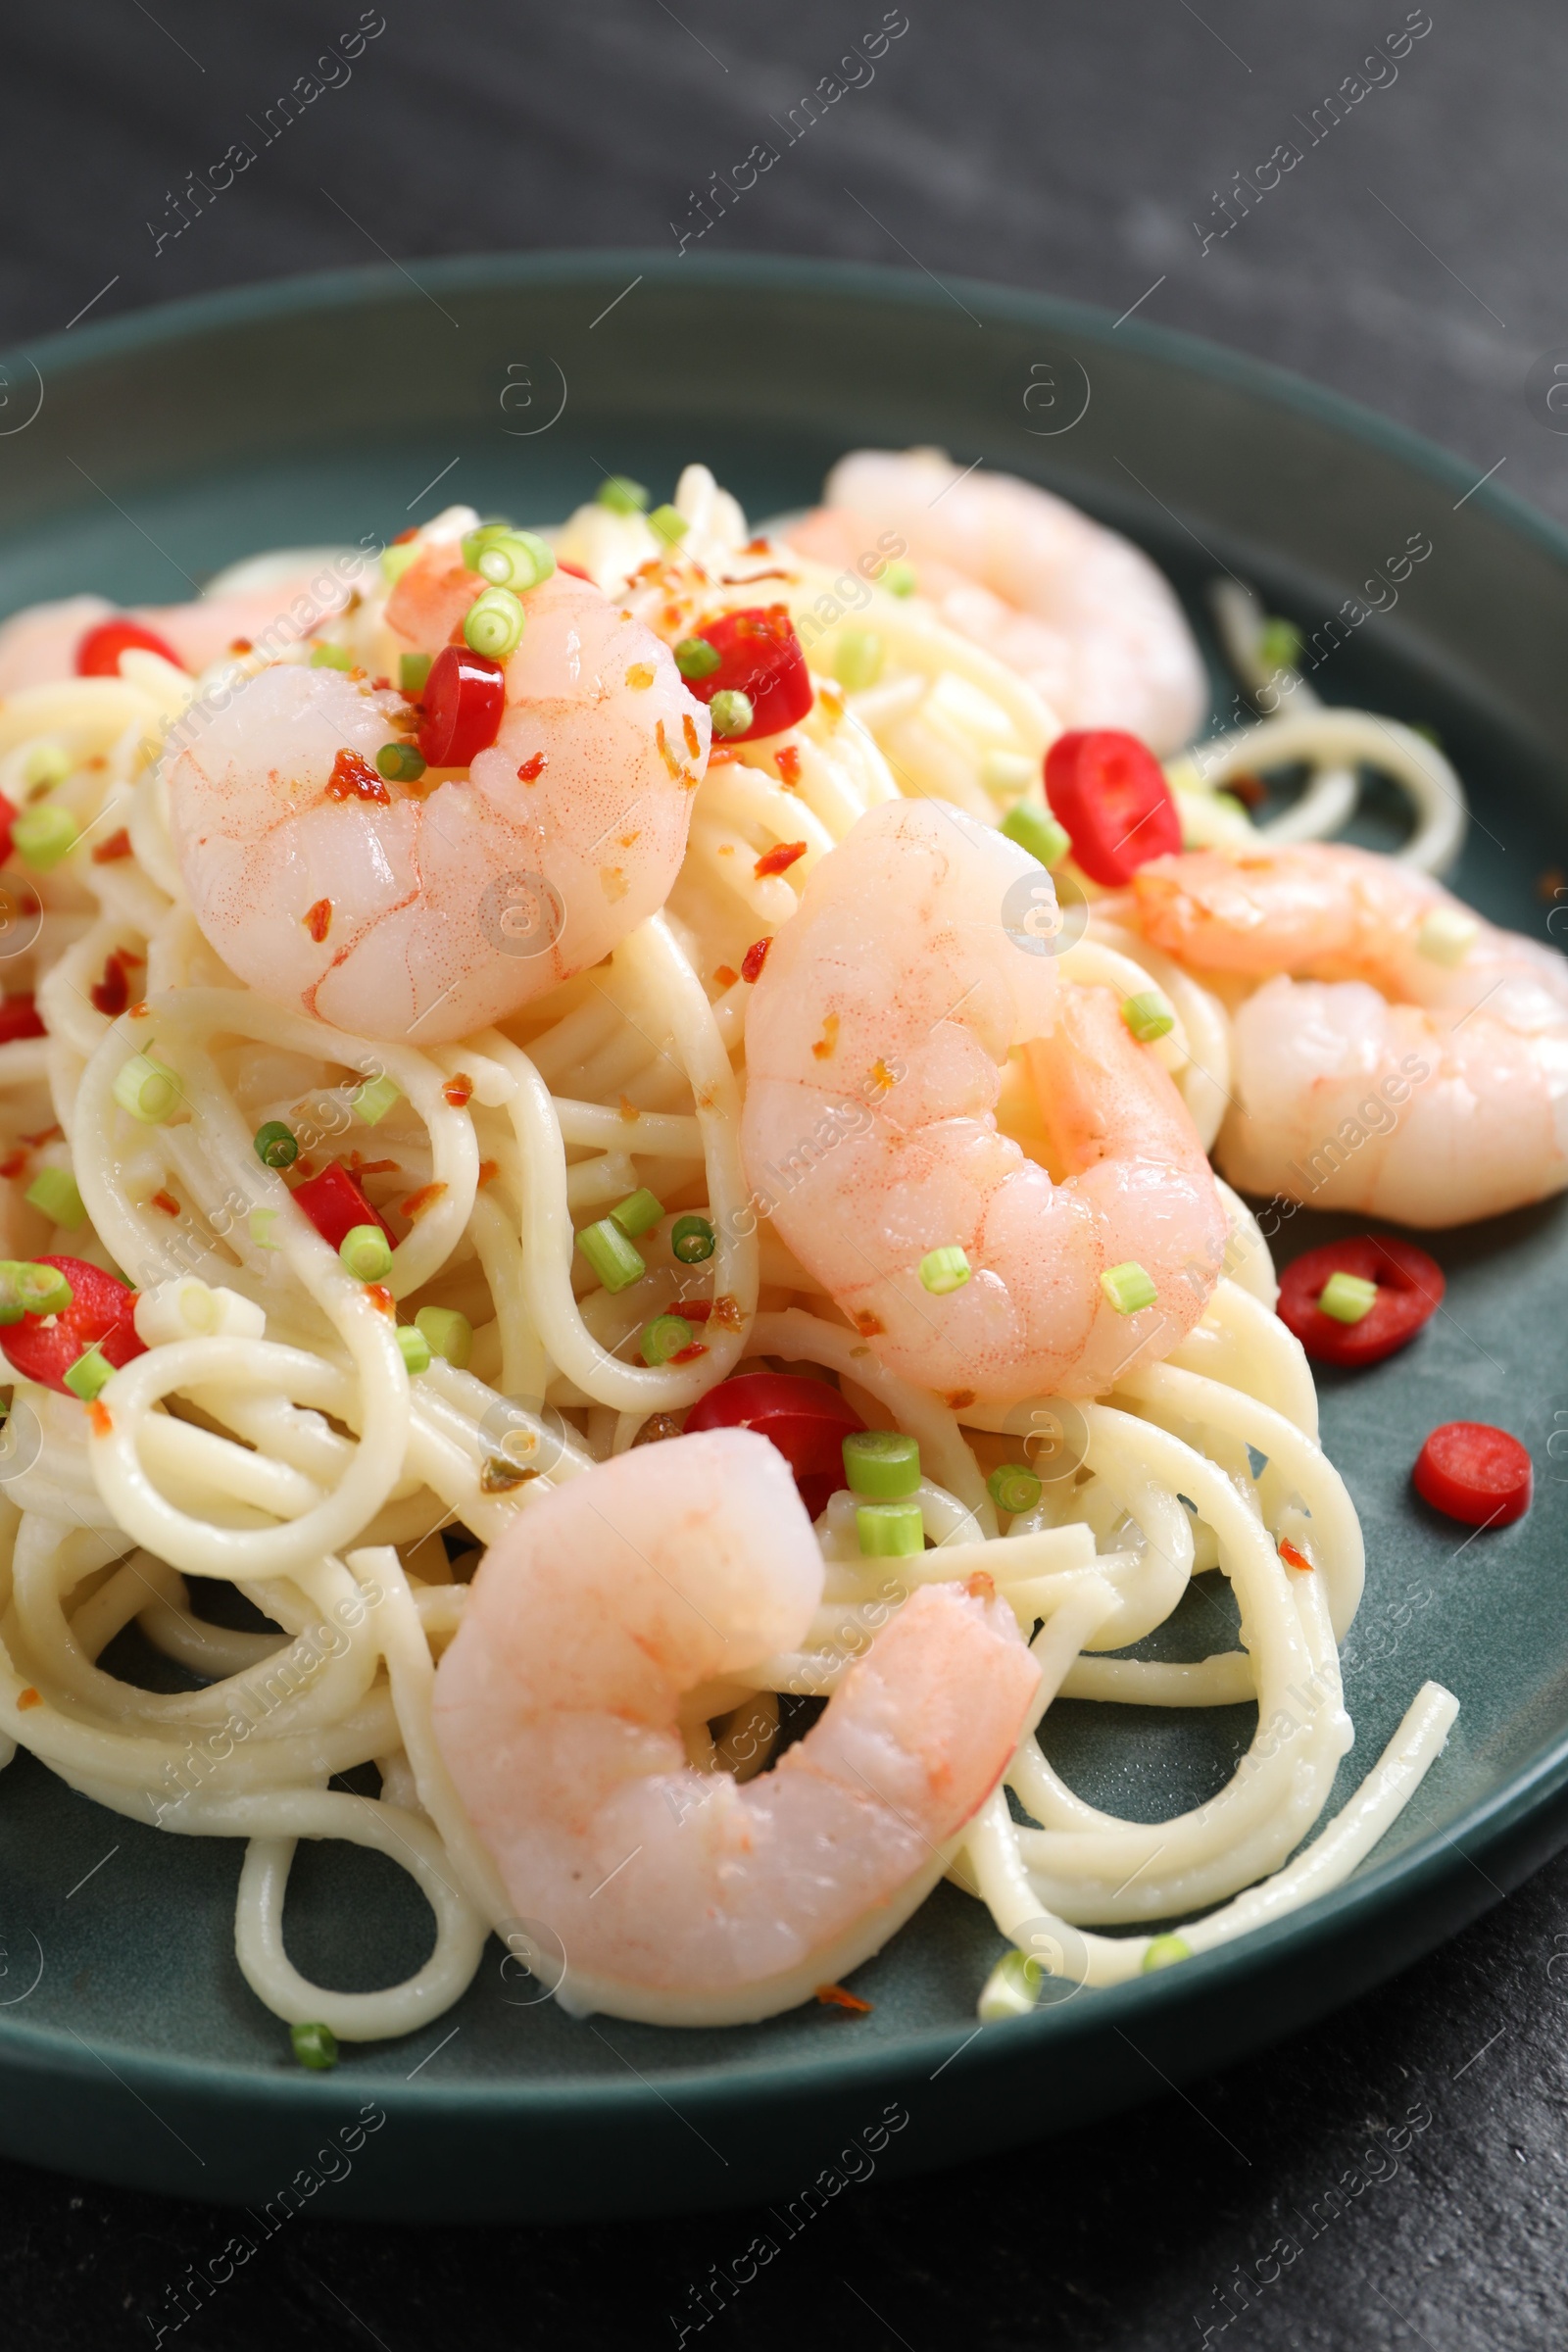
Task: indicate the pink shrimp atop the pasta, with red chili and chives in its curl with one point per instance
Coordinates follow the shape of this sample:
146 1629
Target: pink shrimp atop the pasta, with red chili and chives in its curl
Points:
431 909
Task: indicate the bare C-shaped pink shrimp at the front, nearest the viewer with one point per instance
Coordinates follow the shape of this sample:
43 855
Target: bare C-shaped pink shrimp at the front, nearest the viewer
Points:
683 1897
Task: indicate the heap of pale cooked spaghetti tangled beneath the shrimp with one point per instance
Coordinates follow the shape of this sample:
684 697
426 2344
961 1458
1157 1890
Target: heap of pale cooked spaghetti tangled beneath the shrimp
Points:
272 1438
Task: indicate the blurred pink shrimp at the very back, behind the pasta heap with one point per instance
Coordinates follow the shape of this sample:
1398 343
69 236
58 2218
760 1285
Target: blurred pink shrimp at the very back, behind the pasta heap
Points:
1073 608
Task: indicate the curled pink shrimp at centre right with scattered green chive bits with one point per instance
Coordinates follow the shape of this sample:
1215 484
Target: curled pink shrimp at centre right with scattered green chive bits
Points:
876 1043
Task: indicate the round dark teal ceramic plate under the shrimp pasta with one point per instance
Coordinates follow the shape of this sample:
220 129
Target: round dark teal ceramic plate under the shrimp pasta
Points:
147 453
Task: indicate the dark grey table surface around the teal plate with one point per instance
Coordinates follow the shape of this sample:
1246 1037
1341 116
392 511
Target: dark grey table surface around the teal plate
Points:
1412 262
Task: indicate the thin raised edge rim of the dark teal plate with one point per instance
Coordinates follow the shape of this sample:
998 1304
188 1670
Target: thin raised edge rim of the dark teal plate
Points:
1374 1892
